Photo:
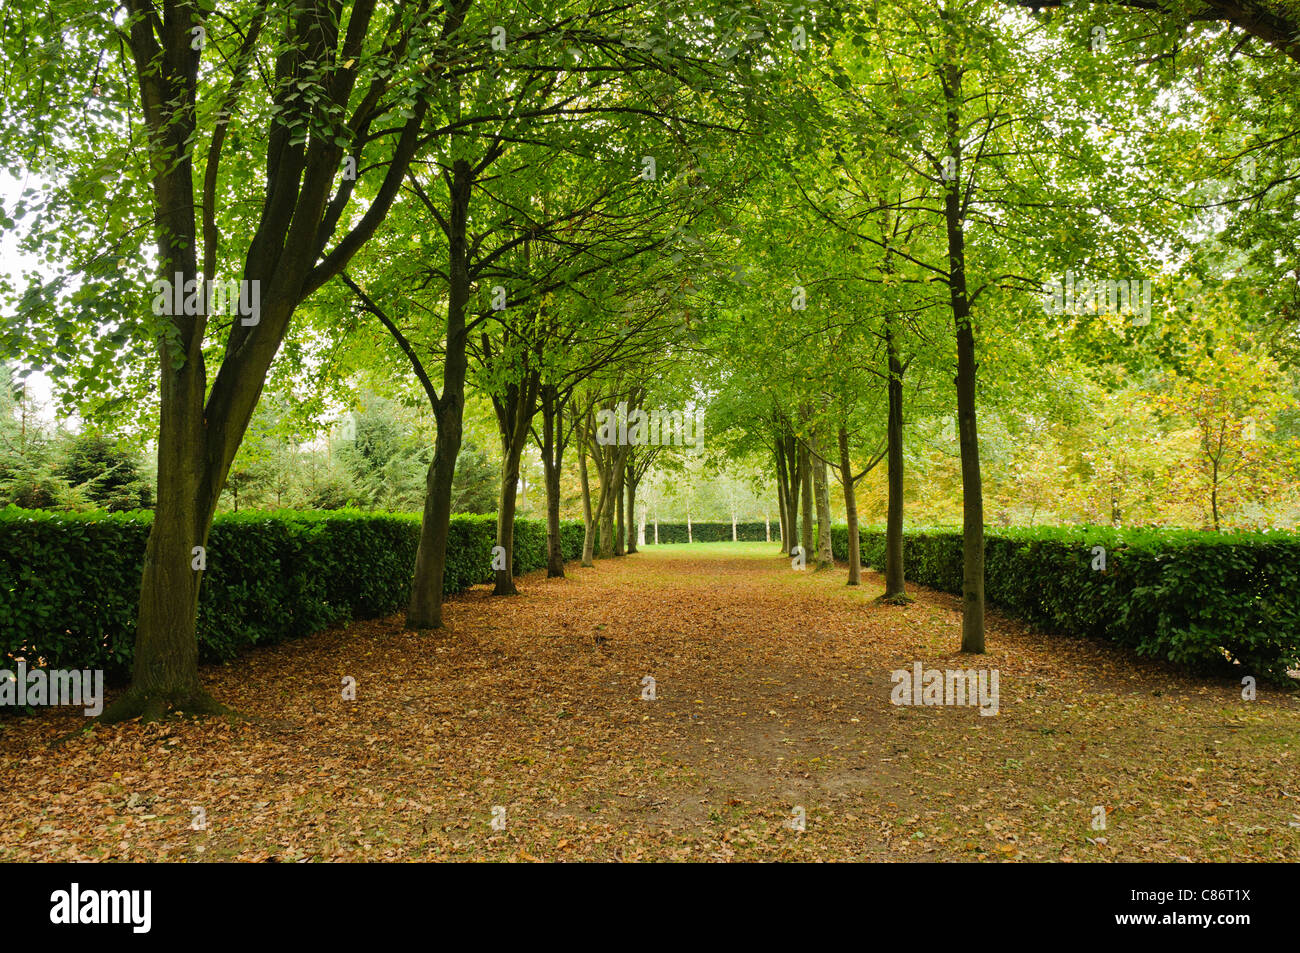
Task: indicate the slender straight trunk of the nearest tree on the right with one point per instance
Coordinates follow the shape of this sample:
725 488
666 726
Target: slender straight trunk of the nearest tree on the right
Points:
973 491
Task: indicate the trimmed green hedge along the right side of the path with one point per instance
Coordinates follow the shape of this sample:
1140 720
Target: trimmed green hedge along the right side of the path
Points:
1190 597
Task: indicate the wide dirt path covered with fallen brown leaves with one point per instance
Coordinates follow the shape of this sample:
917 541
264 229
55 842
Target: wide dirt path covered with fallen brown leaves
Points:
773 695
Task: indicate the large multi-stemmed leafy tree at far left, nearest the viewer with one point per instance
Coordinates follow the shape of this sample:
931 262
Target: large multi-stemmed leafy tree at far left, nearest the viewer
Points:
189 90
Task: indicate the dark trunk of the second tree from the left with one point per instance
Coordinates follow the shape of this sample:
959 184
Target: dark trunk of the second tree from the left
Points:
431 561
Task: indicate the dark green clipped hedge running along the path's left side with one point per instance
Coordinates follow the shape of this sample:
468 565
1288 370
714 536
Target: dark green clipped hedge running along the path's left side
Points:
70 583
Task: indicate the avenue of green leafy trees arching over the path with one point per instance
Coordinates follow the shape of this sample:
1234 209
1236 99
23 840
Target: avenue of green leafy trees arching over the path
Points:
973 262
